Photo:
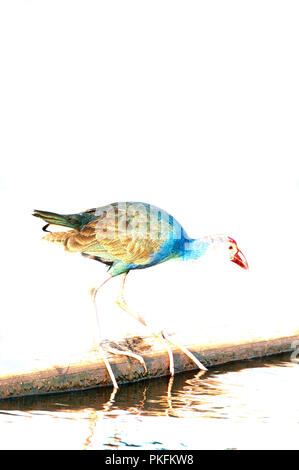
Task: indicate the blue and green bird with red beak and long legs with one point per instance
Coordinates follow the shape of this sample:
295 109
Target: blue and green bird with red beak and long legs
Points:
128 236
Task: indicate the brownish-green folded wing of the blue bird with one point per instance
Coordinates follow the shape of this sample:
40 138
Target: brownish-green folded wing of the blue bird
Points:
123 235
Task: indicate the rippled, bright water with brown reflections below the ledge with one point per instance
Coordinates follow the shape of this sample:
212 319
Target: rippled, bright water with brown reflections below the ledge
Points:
240 405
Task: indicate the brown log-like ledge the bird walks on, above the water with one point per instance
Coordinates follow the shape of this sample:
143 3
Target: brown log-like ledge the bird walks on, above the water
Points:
80 373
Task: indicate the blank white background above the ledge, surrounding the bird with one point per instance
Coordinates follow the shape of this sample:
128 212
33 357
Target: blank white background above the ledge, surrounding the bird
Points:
191 106
